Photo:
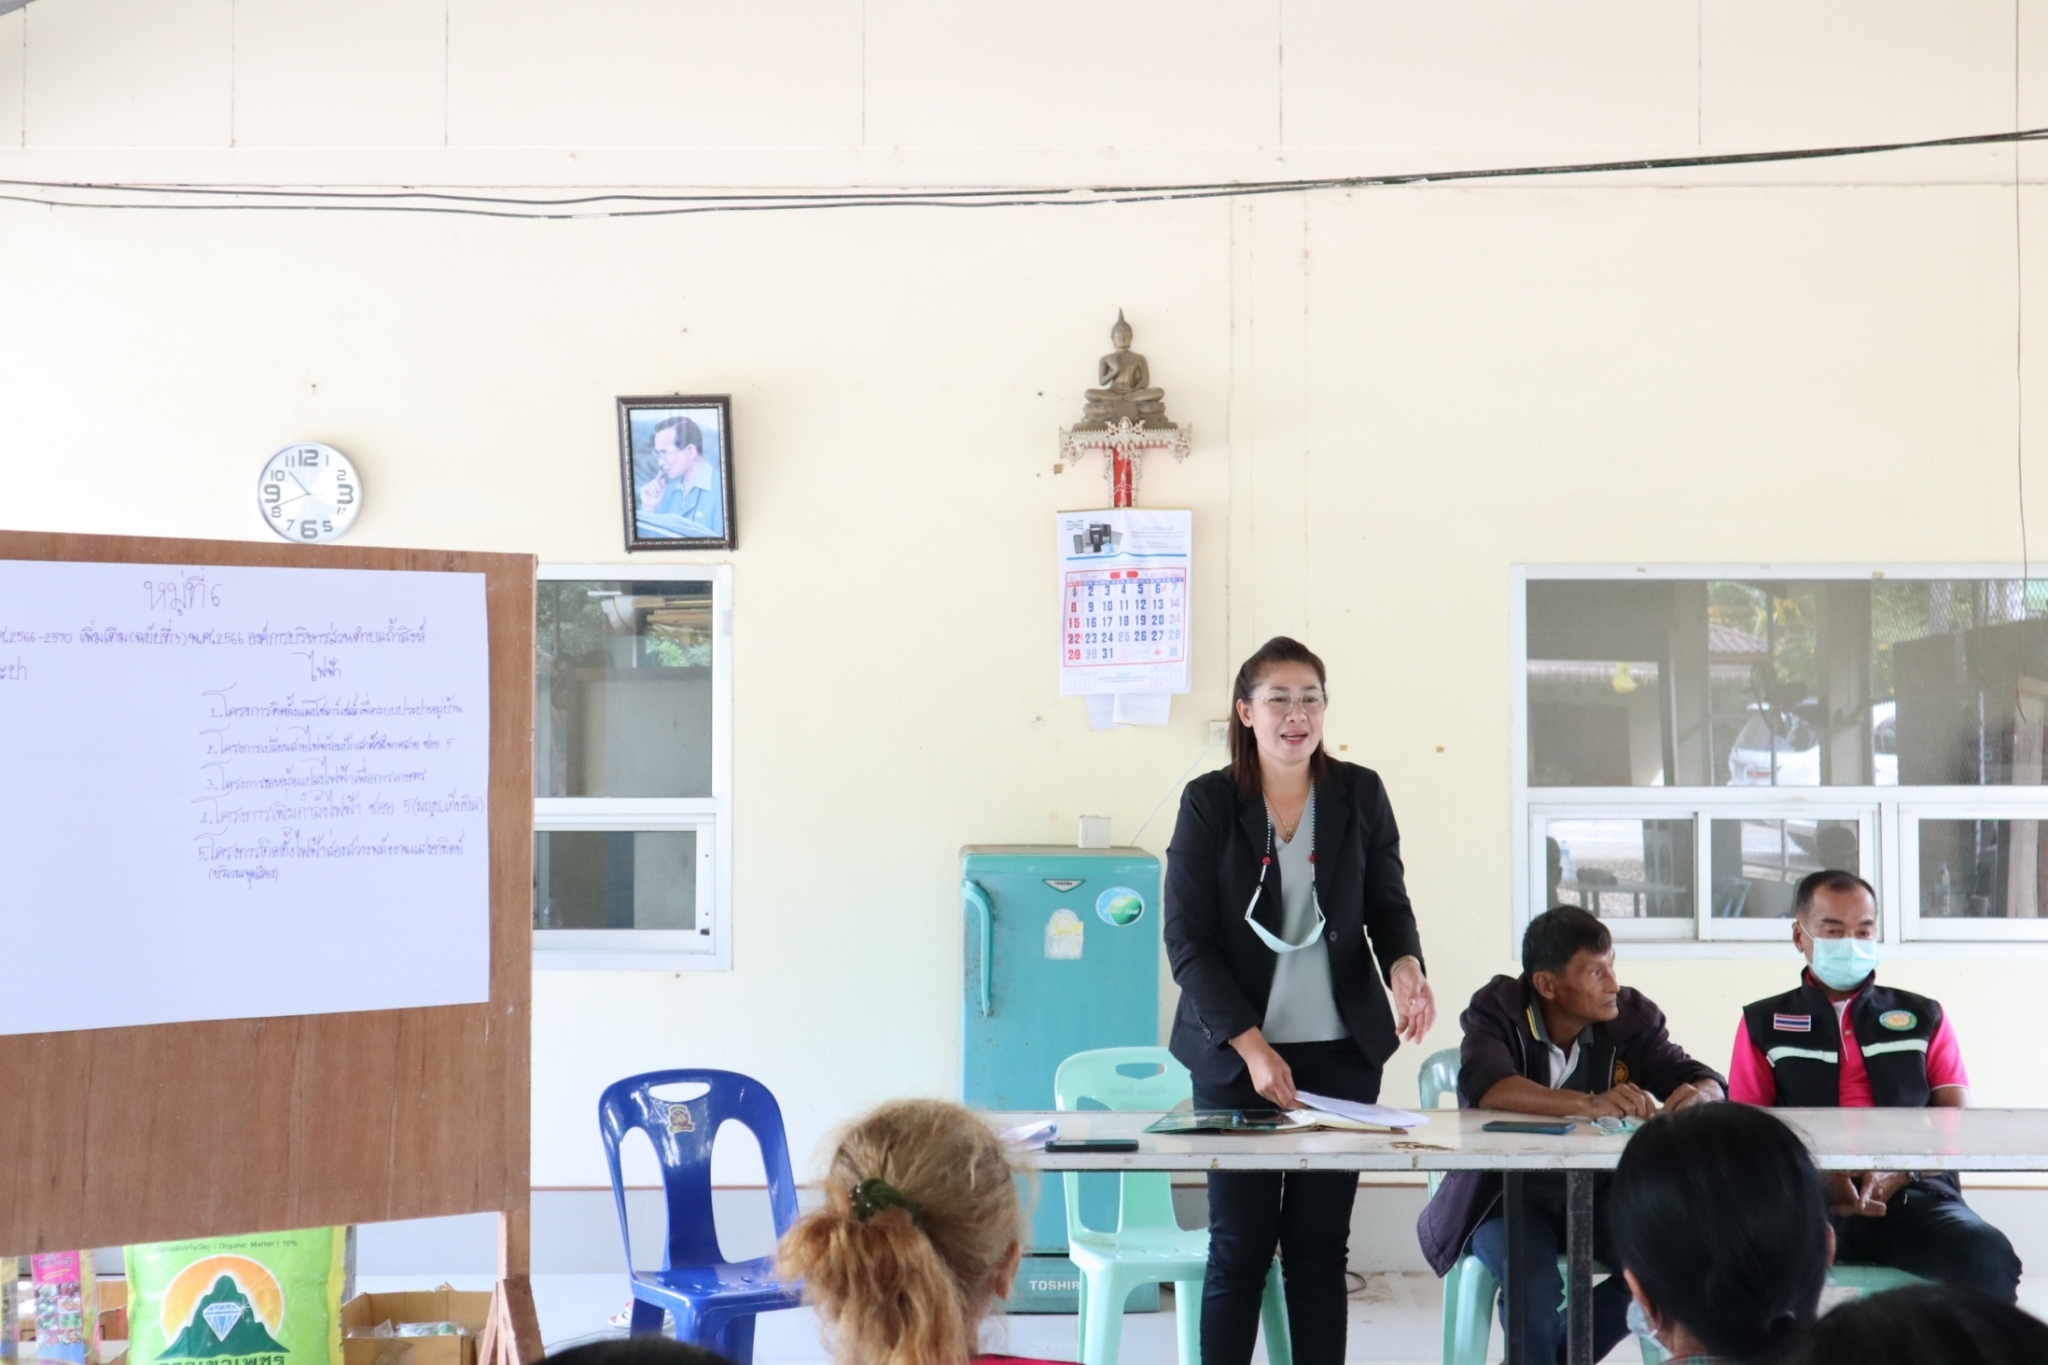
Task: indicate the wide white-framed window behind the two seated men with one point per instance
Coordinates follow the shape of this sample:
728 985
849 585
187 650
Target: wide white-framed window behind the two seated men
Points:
1693 742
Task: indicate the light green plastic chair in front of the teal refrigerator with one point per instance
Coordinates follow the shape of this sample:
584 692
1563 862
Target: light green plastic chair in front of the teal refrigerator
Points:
1148 1247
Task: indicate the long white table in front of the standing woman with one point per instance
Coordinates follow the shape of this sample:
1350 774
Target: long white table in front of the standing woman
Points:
1453 1141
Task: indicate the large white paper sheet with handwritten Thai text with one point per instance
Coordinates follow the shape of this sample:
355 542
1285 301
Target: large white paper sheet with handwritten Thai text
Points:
232 793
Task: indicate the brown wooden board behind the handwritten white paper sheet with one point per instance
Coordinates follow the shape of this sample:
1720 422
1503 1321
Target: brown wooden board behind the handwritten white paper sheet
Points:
148 1135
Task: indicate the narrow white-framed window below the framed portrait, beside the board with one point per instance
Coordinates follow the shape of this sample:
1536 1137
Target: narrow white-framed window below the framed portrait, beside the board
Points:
632 768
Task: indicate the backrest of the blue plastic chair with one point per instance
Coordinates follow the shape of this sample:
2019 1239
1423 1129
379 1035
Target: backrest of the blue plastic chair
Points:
683 1133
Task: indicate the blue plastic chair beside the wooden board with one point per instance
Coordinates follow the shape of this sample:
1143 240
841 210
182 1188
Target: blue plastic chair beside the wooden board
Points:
714 1301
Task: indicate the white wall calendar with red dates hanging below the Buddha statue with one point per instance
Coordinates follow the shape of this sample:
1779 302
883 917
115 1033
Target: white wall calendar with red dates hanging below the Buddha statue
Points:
1123 595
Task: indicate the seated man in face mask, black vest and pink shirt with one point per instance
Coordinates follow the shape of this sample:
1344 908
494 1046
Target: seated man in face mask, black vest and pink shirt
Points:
1844 1041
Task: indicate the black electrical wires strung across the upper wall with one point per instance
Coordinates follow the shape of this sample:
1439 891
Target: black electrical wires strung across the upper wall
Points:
663 204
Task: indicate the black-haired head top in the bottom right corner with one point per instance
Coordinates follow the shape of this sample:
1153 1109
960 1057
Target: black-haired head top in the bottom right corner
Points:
1928 1325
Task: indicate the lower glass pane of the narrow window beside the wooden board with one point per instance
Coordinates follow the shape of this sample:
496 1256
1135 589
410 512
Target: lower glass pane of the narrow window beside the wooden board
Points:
615 881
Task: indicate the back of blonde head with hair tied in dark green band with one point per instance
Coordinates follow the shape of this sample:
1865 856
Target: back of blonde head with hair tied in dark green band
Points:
921 1223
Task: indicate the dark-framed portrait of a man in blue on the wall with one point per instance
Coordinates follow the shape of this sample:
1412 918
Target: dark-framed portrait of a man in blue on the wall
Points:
677 464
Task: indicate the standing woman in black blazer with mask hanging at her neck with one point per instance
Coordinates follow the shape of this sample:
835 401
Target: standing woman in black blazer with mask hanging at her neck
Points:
1285 912
